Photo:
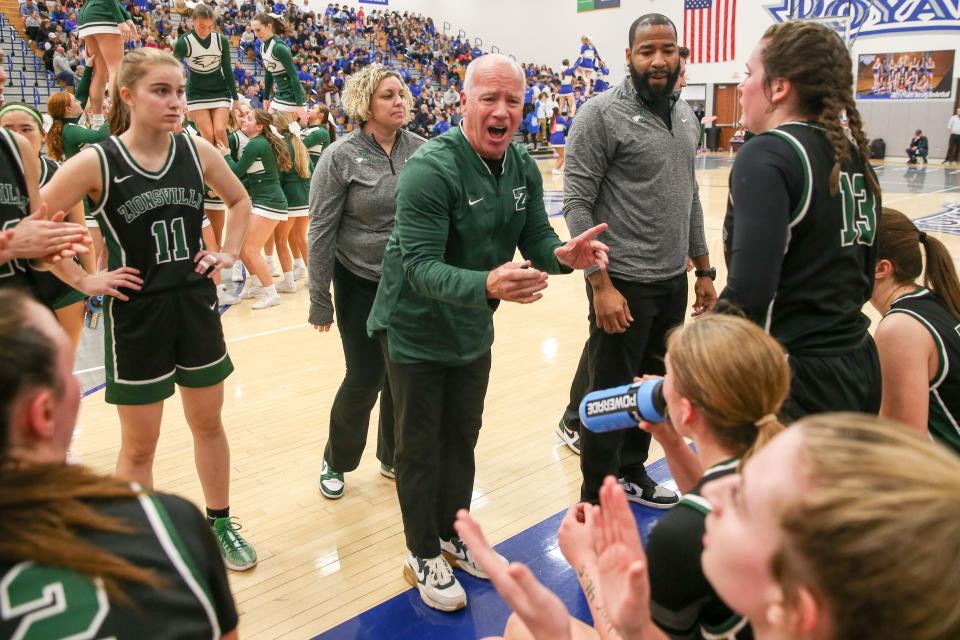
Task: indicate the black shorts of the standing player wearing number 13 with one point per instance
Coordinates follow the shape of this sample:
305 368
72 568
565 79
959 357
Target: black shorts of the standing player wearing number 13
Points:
849 381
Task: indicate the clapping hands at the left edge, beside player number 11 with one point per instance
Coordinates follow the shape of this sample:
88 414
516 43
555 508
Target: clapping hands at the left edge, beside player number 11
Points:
50 241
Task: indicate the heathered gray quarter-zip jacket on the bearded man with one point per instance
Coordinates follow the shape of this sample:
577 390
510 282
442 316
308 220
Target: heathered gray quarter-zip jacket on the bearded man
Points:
625 168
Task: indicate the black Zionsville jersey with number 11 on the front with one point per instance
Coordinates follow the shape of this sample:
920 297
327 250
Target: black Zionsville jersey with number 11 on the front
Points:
151 220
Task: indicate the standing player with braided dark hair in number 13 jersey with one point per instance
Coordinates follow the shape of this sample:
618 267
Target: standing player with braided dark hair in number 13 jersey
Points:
799 233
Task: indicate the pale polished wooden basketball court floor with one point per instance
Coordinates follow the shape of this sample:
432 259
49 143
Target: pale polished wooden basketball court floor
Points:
323 562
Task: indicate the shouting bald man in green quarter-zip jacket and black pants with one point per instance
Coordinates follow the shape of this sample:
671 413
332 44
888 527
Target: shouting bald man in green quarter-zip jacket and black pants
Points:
466 201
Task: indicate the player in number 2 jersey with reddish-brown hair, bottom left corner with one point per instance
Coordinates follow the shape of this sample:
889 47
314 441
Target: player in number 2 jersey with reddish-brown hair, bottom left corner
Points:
83 555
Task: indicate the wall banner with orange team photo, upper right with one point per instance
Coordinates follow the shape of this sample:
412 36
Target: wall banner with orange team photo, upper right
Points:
905 75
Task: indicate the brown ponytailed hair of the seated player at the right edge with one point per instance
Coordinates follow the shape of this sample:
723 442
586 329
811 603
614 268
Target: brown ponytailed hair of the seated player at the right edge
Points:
899 242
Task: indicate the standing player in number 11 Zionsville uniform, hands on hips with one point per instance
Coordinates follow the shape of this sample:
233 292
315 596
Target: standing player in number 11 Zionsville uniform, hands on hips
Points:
146 184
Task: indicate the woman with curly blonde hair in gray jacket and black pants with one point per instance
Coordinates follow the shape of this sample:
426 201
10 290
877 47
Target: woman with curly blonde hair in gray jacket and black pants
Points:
352 211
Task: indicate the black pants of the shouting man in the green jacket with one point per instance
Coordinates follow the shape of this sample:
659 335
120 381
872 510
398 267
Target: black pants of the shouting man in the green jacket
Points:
439 412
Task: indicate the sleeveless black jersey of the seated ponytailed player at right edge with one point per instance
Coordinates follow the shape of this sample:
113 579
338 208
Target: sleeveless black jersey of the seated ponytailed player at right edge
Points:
944 416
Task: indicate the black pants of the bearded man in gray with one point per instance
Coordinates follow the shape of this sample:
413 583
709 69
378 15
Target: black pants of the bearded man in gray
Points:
612 359
